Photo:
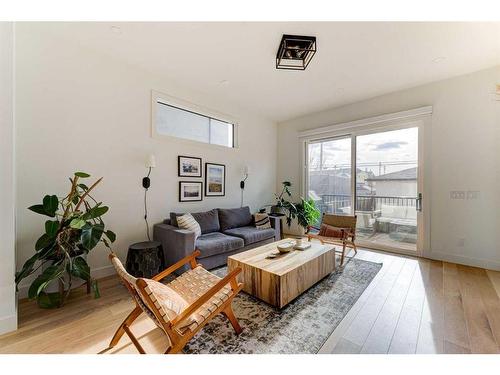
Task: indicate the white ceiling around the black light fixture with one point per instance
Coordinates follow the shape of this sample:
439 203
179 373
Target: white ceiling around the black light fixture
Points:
355 60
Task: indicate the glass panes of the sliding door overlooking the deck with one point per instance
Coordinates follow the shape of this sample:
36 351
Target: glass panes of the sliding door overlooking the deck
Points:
373 175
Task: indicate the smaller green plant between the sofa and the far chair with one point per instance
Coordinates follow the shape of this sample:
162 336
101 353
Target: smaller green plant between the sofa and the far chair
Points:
305 211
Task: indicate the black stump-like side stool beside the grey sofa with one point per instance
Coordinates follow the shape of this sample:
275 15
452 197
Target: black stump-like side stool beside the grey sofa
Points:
145 259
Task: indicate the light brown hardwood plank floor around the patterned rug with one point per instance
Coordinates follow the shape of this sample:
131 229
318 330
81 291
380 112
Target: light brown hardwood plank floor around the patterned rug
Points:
412 306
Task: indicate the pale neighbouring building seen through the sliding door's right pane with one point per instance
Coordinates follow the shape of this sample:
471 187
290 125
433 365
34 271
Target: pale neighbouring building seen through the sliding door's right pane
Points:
396 184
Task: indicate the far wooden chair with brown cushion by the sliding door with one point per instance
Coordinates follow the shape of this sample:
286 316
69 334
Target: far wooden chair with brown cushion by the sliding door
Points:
336 230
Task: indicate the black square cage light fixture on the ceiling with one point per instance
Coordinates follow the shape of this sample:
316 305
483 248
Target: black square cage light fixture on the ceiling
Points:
295 52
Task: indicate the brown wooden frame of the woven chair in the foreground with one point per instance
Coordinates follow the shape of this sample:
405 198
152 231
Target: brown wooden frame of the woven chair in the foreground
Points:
177 340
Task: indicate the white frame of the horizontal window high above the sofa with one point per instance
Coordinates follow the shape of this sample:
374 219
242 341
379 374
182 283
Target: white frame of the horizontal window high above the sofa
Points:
159 97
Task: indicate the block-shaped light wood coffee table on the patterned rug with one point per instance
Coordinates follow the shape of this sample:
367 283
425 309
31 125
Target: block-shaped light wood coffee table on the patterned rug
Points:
280 280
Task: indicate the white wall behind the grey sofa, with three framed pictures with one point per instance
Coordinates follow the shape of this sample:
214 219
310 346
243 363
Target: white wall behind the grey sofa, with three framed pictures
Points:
79 110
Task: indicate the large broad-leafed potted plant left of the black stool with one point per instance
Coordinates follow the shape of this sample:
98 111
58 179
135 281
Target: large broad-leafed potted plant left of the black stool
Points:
75 229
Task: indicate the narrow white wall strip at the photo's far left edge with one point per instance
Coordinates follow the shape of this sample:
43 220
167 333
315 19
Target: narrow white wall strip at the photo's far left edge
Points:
8 310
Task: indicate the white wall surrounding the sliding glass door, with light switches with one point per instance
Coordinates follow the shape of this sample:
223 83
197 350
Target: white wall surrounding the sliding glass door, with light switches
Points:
464 149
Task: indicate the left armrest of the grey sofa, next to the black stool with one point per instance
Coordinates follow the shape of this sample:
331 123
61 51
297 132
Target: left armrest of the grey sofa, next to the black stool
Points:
176 243
